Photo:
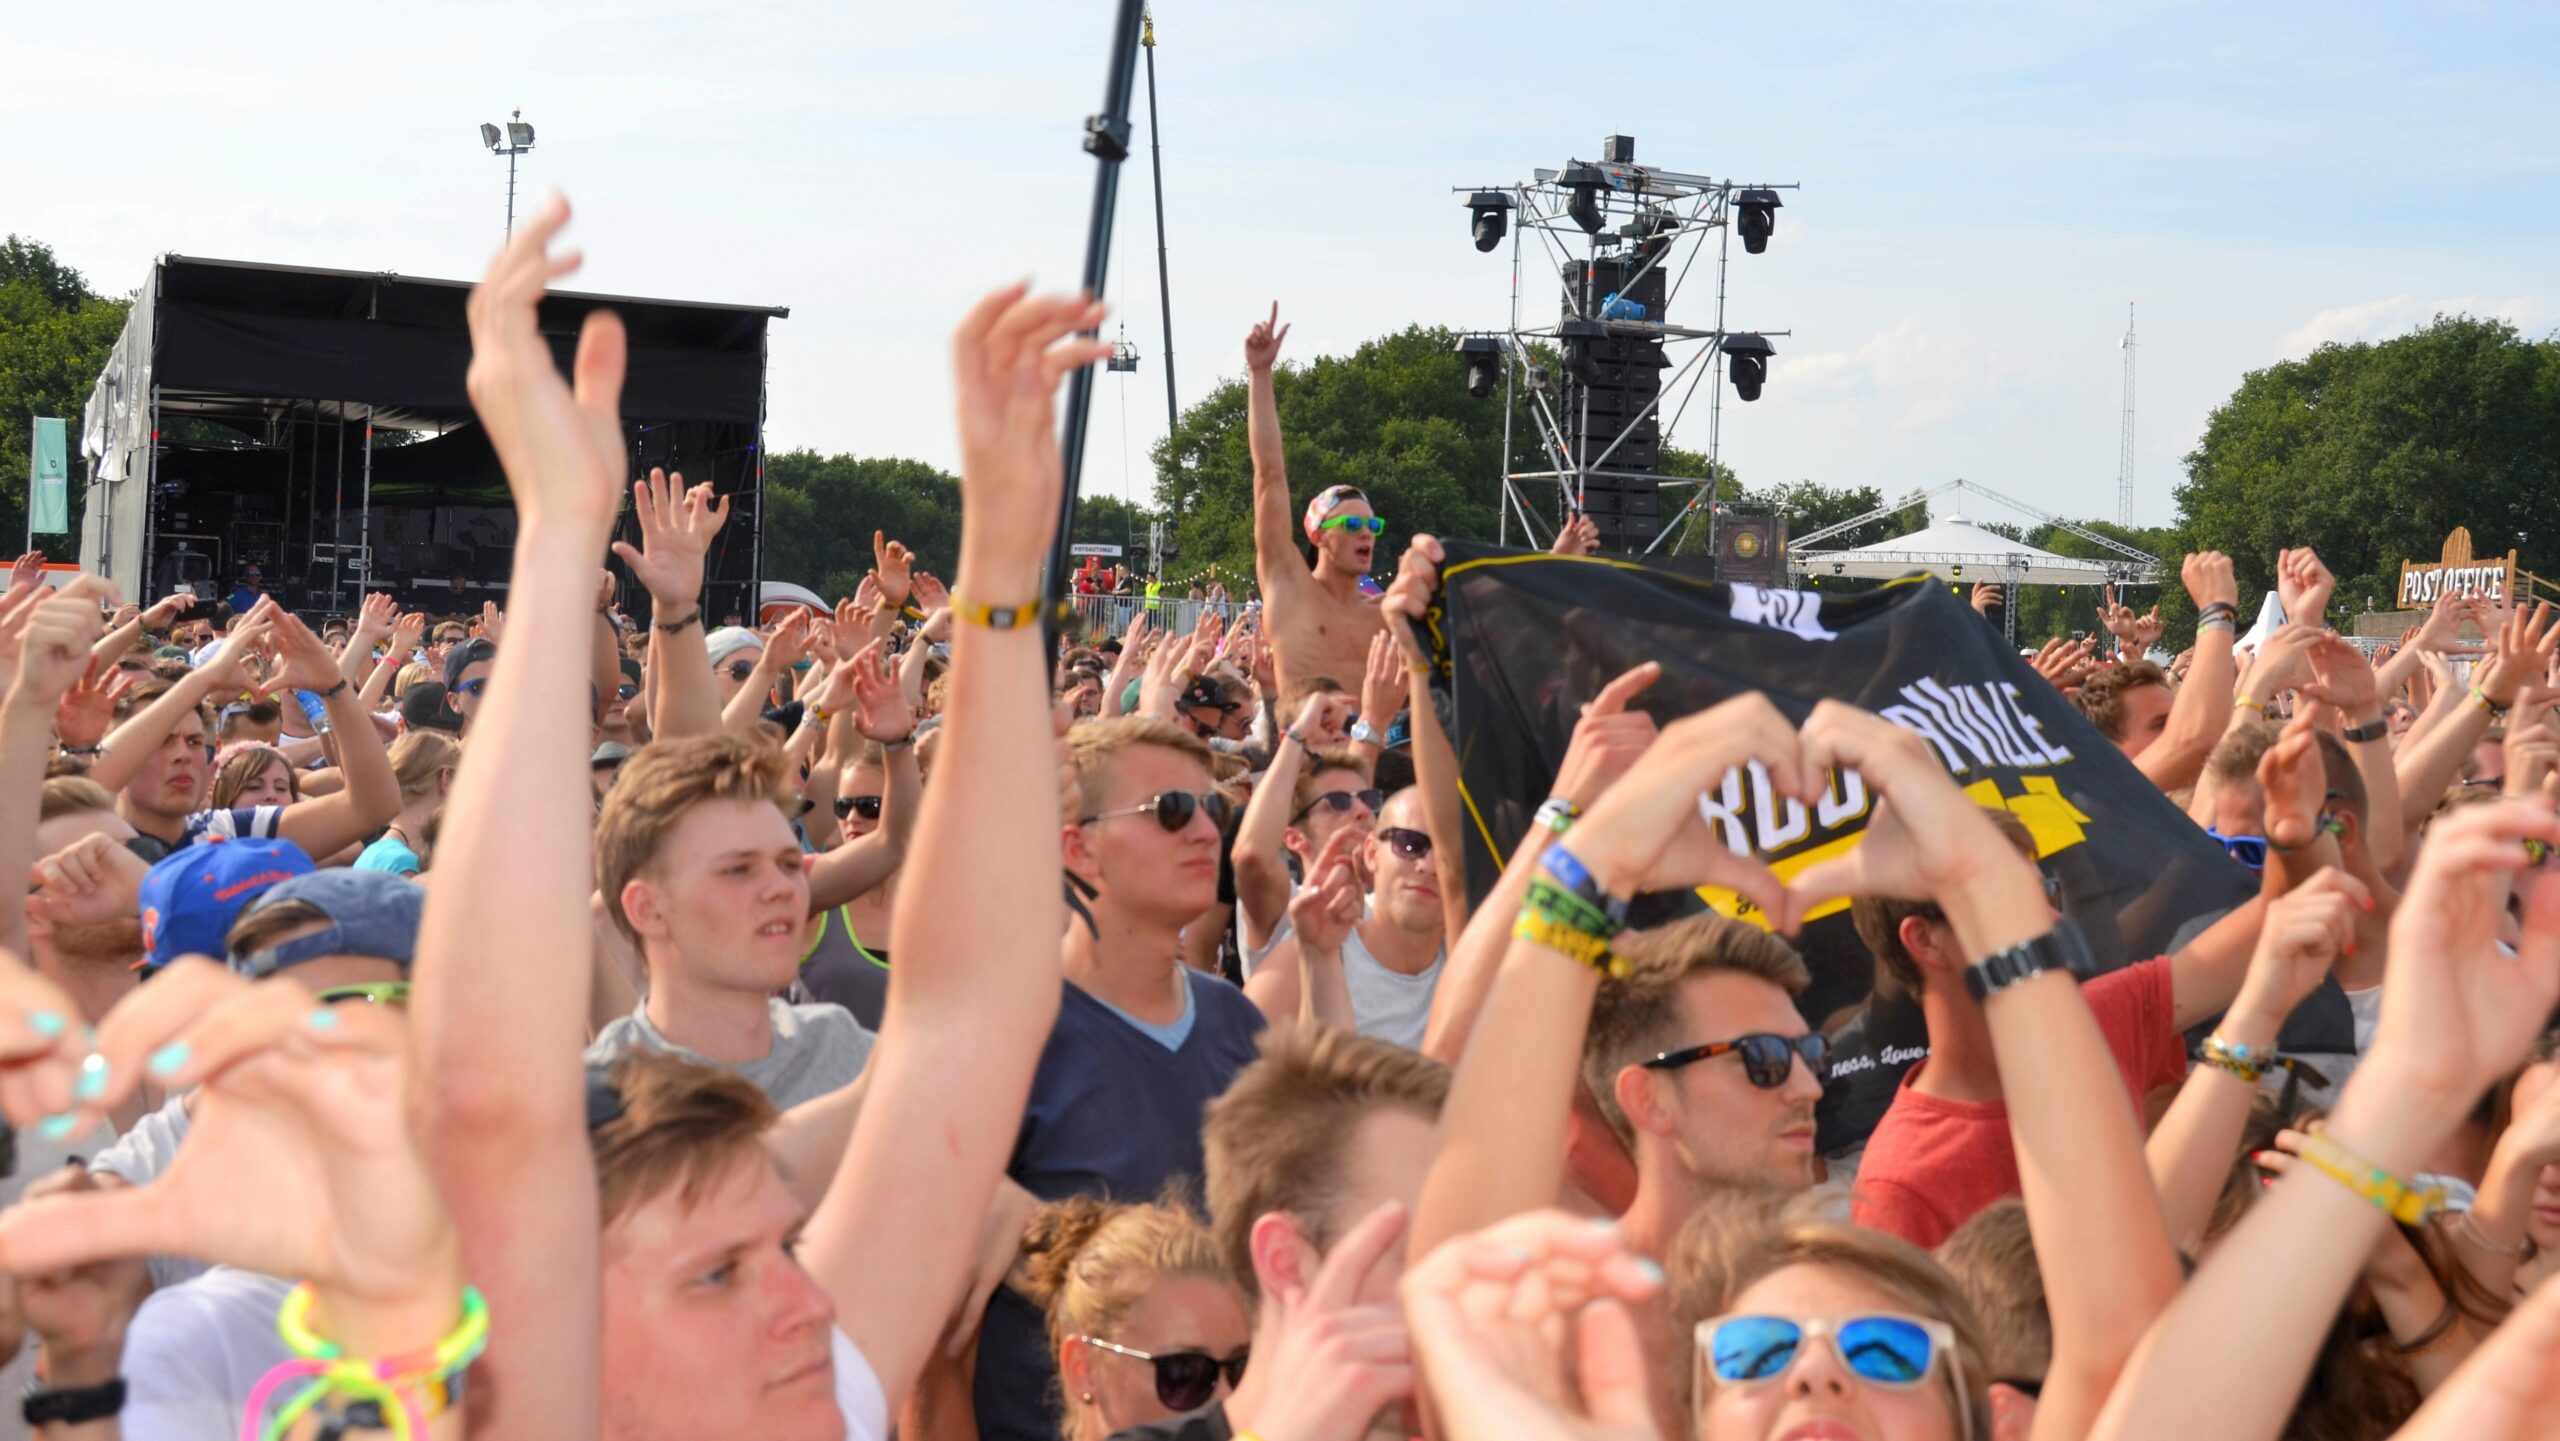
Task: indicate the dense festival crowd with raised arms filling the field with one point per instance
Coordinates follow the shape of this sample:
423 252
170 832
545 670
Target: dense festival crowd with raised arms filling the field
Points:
887 1023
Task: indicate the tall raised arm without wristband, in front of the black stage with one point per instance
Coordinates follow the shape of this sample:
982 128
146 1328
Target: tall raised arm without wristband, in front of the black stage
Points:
503 953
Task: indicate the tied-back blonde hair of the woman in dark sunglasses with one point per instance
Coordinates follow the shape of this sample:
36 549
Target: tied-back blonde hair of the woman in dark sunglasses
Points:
1087 1263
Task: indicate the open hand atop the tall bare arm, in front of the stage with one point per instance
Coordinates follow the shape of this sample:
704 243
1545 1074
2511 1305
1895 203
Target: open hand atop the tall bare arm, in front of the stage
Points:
562 447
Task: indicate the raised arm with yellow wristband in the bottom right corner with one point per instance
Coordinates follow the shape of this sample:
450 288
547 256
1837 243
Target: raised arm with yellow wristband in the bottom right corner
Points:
2456 1015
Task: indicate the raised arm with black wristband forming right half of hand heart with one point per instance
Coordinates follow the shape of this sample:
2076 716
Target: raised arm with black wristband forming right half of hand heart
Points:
2080 1156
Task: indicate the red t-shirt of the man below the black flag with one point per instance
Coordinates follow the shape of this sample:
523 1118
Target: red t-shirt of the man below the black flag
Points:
1937 1163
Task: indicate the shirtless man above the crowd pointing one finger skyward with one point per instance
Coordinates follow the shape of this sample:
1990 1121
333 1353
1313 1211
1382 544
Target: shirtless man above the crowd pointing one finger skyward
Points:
1320 623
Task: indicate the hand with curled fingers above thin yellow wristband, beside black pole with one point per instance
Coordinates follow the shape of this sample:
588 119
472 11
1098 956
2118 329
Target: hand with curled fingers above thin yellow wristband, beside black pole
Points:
1007 360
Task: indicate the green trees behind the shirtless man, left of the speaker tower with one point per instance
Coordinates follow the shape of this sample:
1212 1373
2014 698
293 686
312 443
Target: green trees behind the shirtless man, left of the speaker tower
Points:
1391 418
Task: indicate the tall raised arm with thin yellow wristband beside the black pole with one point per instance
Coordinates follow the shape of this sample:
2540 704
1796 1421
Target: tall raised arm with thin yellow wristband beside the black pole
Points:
977 984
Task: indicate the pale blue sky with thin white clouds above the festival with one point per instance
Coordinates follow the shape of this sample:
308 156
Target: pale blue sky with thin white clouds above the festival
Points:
1985 188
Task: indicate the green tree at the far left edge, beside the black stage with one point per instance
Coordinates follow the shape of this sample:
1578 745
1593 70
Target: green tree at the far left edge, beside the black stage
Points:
55 339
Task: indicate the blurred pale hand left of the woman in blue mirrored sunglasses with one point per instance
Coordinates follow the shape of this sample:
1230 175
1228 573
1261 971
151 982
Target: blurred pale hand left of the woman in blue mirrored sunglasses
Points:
1524 1332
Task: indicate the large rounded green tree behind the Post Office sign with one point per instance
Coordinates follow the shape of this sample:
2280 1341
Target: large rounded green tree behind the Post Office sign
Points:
2374 452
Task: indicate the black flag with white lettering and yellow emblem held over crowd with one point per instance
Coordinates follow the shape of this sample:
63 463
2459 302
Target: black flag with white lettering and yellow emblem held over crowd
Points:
1524 639
